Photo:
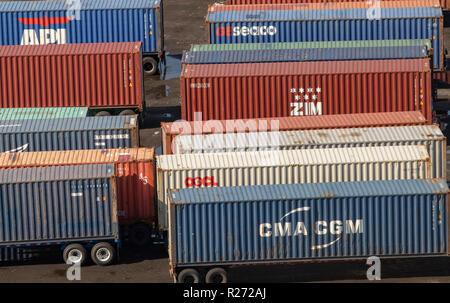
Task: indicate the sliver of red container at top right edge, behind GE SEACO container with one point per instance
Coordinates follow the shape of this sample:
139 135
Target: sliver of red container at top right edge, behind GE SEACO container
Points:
445 4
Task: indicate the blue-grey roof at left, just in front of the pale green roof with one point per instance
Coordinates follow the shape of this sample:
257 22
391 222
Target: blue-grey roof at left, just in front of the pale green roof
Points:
67 124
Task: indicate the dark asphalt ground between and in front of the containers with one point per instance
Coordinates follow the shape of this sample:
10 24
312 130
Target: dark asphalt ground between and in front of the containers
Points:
185 25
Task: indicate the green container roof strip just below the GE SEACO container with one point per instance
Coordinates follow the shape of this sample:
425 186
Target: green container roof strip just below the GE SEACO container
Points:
300 45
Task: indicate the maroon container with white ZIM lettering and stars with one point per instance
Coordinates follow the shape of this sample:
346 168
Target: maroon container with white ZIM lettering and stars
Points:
264 90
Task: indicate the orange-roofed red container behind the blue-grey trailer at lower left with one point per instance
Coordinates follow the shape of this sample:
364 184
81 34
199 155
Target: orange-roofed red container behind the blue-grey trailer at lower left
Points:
135 176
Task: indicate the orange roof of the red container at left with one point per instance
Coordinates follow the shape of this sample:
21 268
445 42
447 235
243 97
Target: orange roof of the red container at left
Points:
75 157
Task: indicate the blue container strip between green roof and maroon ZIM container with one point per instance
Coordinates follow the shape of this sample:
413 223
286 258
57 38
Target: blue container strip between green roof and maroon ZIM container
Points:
311 54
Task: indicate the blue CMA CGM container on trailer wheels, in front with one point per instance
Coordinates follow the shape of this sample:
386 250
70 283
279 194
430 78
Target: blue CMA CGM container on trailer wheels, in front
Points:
255 225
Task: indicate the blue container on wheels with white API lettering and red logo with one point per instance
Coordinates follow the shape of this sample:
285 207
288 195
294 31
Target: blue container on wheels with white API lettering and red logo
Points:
86 21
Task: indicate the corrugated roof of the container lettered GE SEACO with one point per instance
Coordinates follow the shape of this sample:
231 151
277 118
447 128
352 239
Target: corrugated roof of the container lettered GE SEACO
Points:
321 14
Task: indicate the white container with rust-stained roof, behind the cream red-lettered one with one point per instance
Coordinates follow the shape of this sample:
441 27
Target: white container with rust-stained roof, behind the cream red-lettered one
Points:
430 136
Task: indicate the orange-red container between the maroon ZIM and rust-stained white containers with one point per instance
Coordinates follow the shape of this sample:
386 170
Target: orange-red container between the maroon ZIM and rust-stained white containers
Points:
169 131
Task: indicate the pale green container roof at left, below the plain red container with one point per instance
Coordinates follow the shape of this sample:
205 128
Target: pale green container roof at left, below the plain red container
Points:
42 113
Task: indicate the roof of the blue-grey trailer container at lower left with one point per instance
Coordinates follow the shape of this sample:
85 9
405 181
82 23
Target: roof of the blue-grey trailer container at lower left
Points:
56 173
